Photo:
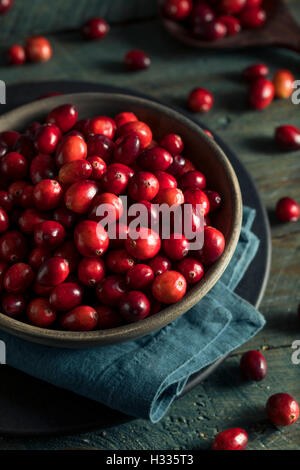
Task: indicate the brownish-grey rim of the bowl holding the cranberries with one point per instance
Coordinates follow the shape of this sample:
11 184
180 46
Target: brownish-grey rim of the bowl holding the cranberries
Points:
70 339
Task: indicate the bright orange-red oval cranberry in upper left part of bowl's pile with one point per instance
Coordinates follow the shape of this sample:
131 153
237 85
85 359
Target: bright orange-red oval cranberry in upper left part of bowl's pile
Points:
71 148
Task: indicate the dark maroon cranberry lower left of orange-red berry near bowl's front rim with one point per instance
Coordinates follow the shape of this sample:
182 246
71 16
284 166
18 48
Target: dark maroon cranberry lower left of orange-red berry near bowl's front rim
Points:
134 306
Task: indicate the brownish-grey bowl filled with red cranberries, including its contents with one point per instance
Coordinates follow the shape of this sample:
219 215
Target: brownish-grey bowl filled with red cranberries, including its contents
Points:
97 193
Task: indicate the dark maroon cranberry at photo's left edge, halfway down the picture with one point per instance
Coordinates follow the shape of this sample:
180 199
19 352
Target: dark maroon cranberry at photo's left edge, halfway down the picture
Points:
13 246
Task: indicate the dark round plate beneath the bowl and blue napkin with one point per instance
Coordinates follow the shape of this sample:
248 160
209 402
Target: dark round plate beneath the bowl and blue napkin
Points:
41 408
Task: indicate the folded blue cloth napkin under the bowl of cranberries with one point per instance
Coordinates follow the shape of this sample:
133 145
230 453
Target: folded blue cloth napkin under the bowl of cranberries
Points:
142 377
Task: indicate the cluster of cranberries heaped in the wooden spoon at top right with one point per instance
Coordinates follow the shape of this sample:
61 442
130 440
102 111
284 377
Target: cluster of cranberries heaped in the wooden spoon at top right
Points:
214 19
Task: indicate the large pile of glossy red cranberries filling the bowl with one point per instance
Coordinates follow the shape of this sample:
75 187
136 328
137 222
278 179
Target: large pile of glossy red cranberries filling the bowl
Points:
59 266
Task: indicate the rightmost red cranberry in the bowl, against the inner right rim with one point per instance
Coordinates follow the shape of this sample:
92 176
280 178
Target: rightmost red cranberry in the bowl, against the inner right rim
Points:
214 245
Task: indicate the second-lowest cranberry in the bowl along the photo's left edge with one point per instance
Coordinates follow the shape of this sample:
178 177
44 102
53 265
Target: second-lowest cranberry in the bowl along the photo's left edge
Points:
18 278
